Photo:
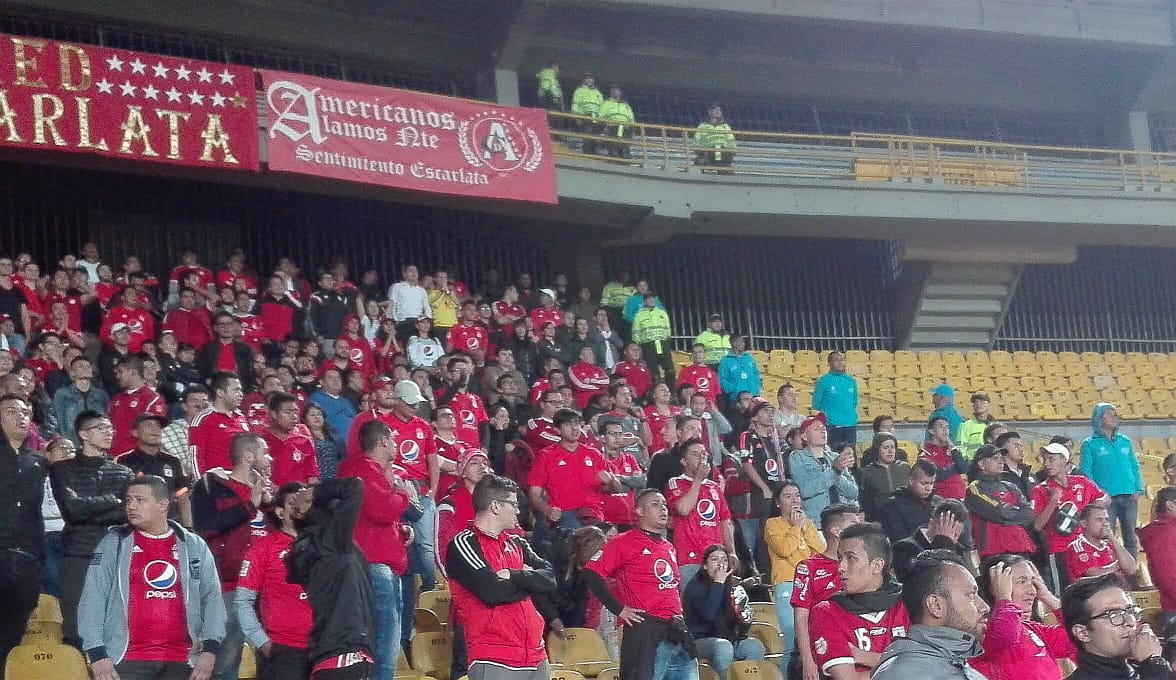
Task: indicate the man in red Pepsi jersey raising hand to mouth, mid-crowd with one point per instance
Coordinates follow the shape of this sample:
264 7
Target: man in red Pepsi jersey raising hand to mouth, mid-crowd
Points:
700 510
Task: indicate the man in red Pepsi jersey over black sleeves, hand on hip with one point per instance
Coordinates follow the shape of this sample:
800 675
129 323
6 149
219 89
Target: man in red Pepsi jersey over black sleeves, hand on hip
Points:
644 566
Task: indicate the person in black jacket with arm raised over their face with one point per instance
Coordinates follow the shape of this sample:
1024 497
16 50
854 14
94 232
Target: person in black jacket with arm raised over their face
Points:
331 568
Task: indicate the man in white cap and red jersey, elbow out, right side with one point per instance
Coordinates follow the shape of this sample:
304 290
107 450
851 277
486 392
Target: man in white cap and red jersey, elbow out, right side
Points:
1058 502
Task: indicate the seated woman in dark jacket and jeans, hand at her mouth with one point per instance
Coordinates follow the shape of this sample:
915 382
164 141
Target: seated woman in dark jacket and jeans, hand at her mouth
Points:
718 614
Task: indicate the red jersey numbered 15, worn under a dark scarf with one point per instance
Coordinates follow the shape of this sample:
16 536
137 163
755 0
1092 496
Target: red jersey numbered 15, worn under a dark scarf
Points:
836 634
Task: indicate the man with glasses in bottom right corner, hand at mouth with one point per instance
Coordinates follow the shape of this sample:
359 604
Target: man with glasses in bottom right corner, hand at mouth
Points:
1107 629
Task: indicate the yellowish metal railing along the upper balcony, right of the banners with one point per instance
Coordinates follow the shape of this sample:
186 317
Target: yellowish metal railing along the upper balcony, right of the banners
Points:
872 157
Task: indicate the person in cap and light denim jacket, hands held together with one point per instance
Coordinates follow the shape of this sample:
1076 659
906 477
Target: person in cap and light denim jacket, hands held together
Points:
823 478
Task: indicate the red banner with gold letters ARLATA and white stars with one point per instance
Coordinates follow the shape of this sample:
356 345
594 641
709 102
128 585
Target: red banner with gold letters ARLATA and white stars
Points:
115 103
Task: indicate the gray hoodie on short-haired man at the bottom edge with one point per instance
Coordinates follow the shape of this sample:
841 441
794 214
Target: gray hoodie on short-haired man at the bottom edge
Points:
930 654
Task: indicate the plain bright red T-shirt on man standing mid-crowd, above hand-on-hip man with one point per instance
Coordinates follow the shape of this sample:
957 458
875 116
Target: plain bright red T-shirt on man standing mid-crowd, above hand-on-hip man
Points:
570 478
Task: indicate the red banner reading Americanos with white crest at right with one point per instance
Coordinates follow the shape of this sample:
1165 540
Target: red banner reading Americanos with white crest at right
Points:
406 139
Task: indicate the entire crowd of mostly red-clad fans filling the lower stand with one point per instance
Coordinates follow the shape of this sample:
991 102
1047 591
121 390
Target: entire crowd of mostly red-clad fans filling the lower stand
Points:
220 459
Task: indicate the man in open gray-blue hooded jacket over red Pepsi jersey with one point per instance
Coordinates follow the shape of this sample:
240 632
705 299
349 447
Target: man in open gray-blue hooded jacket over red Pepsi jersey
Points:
151 586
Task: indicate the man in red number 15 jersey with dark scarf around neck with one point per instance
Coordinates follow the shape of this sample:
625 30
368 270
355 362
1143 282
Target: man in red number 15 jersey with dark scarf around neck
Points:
851 630
